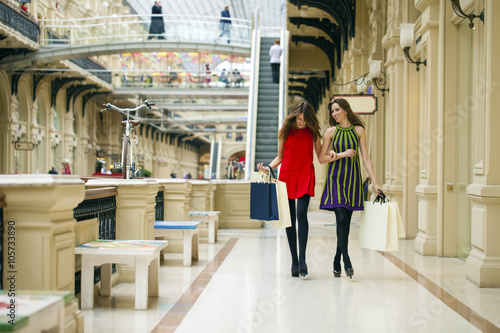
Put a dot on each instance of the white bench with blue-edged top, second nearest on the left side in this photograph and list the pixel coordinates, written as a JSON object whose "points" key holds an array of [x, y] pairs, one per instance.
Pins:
{"points": [[189, 231]]}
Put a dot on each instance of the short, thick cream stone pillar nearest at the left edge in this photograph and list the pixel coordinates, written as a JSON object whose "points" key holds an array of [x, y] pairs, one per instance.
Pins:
{"points": [[39, 217]]}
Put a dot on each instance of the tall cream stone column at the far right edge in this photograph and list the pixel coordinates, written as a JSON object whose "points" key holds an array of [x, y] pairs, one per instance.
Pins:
{"points": [[483, 263]]}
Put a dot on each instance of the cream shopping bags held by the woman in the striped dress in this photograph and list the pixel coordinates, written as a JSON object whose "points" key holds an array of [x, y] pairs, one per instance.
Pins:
{"points": [[381, 225]]}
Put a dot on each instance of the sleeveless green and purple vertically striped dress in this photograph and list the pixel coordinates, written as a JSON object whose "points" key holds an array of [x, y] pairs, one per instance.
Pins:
{"points": [[343, 185]]}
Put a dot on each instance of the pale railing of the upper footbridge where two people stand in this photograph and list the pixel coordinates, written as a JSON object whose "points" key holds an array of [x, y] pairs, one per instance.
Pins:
{"points": [[135, 28]]}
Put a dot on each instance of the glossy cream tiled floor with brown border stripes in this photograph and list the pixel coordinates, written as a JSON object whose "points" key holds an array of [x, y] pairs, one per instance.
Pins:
{"points": [[243, 284]]}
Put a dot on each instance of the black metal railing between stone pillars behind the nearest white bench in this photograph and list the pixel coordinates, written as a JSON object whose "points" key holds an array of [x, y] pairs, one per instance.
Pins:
{"points": [[101, 204]]}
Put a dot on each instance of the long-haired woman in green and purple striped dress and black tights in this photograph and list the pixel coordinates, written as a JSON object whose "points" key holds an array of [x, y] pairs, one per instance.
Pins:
{"points": [[343, 192]]}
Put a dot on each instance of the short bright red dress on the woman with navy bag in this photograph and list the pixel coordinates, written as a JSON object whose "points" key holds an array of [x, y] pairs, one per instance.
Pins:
{"points": [[297, 169]]}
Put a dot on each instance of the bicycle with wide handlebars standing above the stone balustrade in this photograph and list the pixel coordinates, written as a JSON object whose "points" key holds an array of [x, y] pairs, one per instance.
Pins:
{"points": [[129, 165]]}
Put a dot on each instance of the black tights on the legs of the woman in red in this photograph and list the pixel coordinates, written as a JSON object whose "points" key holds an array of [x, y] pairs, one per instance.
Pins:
{"points": [[303, 230]]}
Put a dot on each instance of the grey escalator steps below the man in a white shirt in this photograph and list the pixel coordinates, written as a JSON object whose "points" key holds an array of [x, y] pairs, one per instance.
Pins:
{"points": [[266, 139]]}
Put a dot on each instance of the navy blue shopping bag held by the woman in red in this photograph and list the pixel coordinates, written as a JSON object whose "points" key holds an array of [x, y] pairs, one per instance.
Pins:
{"points": [[263, 200]]}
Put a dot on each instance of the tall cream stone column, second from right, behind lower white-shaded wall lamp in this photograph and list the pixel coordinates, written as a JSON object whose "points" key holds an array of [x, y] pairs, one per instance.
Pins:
{"points": [[427, 34]]}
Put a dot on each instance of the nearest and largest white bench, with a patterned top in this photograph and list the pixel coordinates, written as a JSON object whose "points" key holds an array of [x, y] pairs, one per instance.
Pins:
{"points": [[143, 254]]}
